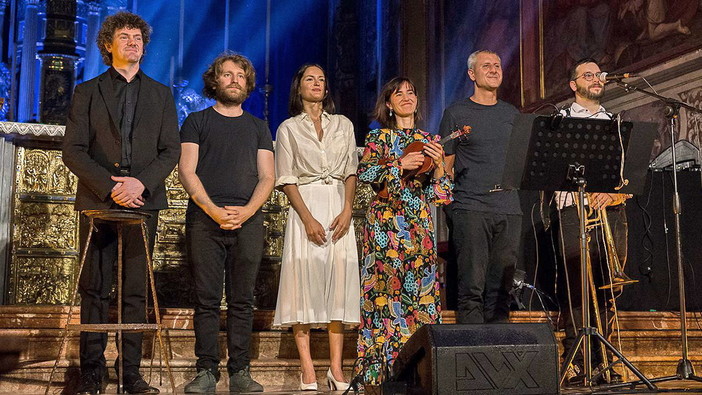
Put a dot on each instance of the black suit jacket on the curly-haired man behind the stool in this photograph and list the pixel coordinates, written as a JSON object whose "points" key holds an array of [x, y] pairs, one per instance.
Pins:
{"points": [[92, 145]]}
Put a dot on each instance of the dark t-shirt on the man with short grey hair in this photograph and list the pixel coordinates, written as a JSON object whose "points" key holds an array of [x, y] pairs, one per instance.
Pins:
{"points": [[480, 156]]}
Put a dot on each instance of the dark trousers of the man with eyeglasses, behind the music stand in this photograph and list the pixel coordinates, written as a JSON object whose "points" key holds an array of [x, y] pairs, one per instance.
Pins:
{"points": [[567, 228]]}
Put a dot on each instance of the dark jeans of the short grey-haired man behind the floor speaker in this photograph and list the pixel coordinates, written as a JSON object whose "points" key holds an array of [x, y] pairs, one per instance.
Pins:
{"points": [[486, 246]]}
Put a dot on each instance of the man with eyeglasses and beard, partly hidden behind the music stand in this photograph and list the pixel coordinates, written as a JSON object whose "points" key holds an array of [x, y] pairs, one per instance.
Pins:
{"points": [[589, 90]]}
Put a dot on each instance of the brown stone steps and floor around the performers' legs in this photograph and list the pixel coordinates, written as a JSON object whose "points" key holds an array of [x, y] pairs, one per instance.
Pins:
{"points": [[650, 340]]}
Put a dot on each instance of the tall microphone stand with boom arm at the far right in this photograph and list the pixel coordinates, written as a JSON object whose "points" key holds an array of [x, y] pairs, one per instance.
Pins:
{"points": [[685, 370]]}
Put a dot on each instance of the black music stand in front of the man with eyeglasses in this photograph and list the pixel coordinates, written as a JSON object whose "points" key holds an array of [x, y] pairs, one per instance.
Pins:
{"points": [[554, 153]]}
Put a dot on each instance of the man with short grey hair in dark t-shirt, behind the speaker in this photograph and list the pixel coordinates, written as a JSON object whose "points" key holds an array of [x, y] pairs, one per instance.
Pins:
{"points": [[485, 222]]}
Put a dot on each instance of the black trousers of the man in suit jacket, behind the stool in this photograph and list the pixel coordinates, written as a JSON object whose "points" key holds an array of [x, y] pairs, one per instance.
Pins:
{"points": [[96, 284]]}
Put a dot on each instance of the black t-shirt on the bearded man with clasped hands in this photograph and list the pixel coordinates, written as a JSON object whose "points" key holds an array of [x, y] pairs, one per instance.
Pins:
{"points": [[226, 165]]}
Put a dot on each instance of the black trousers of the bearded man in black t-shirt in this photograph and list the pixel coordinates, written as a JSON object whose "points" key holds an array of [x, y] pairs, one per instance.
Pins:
{"points": [[231, 257]]}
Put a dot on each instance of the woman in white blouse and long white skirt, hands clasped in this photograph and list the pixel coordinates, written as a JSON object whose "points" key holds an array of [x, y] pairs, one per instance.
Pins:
{"points": [[316, 165]]}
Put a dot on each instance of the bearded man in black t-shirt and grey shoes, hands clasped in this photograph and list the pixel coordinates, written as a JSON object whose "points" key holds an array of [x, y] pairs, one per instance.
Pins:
{"points": [[227, 168]]}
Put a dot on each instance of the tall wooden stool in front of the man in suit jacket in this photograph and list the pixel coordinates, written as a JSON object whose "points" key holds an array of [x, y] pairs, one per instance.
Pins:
{"points": [[120, 218]]}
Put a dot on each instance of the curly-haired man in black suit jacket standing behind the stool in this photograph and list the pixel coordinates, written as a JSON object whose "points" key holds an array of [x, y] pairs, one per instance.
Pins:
{"points": [[121, 142]]}
